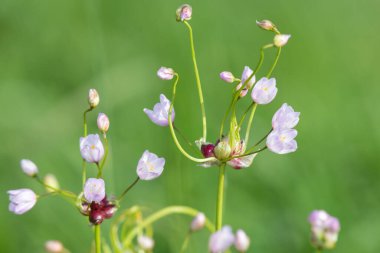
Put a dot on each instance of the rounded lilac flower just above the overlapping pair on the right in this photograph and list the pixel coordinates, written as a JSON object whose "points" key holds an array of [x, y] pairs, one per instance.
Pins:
{"points": [[264, 91]]}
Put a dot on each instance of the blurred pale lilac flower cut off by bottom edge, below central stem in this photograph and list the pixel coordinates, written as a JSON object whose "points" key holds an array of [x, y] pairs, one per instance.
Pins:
{"points": [[221, 240]]}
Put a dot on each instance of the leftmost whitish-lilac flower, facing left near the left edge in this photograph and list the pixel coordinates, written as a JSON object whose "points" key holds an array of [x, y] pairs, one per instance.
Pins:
{"points": [[21, 200]]}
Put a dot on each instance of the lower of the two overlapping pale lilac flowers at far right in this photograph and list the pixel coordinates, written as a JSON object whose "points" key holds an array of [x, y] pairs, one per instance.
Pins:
{"points": [[282, 141]]}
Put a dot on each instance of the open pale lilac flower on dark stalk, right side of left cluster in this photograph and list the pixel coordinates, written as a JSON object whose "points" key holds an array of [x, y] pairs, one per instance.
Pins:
{"points": [[150, 166]]}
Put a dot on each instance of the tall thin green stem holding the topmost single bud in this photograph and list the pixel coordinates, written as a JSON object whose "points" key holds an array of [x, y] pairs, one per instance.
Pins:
{"points": [[198, 80]]}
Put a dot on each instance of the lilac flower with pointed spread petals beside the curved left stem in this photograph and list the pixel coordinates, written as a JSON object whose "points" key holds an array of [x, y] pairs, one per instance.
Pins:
{"points": [[160, 113]]}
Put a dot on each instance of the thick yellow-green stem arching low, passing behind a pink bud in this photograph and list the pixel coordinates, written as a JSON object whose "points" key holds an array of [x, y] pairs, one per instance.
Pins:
{"points": [[159, 215]]}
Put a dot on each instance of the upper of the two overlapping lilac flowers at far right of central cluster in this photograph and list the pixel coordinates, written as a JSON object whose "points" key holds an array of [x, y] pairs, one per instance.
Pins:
{"points": [[285, 118]]}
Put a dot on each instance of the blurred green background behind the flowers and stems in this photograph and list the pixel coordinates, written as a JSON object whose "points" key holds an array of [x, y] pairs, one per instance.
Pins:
{"points": [[52, 52]]}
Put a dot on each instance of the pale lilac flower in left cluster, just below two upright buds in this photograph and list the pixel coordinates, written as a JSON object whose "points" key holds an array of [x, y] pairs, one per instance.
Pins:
{"points": [[91, 148]]}
